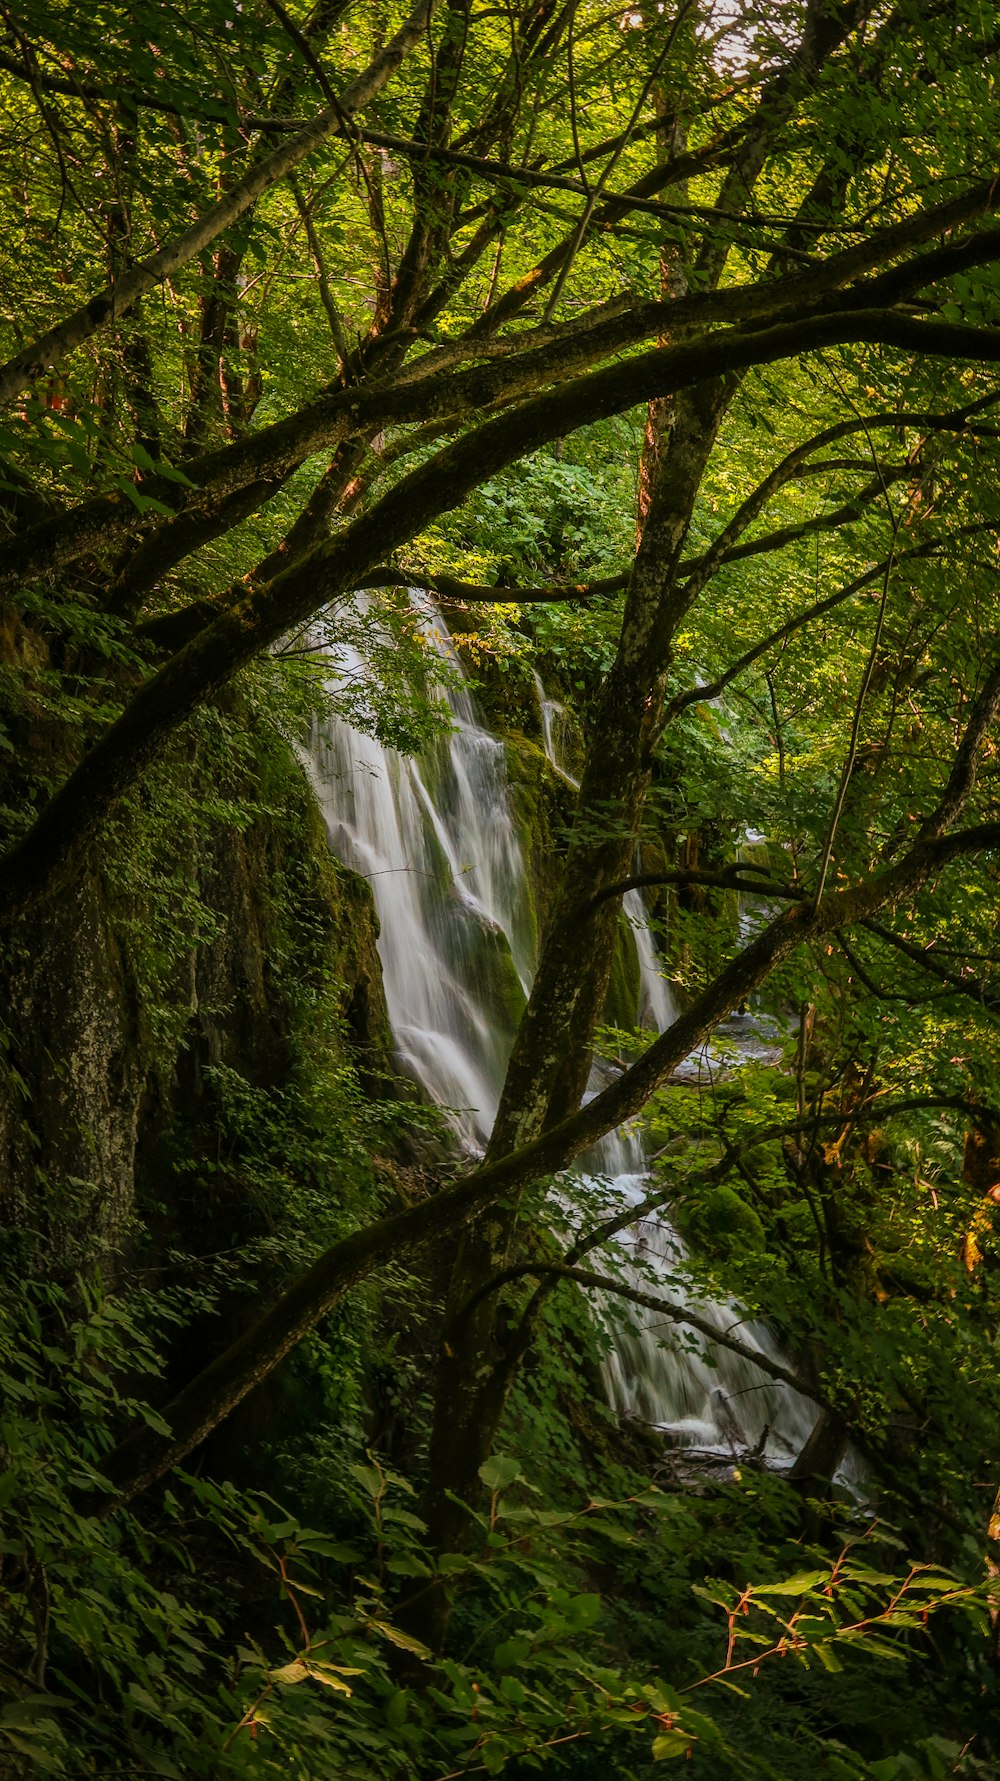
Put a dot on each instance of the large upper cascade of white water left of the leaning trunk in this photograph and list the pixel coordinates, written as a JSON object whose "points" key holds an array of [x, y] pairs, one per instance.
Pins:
{"points": [[438, 843]]}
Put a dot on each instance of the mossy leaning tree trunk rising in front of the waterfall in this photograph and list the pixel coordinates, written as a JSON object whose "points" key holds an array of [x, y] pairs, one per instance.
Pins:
{"points": [[553, 1050]]}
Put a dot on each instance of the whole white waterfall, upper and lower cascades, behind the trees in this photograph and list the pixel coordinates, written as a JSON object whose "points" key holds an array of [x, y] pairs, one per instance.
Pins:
{"points": [[438, 842]]}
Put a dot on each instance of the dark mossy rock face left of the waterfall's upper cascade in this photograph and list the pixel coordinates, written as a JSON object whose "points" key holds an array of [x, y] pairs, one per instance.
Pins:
{"points": [[119, 1000]]}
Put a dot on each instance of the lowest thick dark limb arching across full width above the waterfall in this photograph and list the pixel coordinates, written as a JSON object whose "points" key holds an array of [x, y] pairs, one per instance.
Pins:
{"points": [[58, 843]]}
